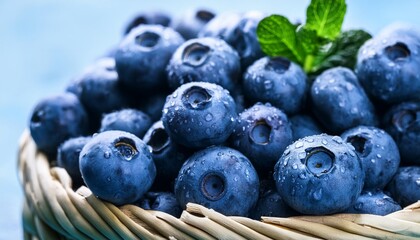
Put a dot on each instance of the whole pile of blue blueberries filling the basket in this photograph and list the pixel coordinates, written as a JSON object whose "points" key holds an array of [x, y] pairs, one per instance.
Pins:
{"points": [[190, 109]]}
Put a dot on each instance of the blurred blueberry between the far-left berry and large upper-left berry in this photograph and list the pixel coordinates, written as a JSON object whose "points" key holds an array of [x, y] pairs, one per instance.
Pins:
{"points": [[99, 90]]}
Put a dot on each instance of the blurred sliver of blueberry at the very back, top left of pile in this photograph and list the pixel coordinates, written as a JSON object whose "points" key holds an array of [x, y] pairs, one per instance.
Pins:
{"points": [[150, 18]]}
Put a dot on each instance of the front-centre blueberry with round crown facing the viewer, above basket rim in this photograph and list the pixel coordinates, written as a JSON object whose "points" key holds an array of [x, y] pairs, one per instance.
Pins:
{"points": [[219, 178]]}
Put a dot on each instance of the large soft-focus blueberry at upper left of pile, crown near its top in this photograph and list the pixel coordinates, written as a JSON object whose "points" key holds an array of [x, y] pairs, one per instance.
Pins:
{"points": [[143, 55]]}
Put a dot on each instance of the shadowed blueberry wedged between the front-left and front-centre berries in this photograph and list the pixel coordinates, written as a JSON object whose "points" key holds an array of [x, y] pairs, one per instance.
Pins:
{"points": [[168, 156]]}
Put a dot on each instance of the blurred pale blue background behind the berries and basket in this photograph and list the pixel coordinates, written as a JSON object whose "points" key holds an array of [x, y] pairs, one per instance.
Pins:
{"points": [[45, 43]]}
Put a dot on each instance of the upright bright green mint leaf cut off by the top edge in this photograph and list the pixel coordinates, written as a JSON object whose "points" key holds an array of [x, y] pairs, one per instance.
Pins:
{"points": [[326, 17]]}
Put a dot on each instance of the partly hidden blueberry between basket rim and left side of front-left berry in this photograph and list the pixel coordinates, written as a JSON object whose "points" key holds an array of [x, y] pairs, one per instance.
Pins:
{"points": [[68, 158]]}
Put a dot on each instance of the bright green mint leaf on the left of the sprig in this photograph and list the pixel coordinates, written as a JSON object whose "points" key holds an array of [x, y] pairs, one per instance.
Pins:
{"points": [[277, 37]]}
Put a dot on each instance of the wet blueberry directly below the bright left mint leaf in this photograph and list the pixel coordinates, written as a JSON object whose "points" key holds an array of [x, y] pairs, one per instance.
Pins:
{"points": [[277, 81]]}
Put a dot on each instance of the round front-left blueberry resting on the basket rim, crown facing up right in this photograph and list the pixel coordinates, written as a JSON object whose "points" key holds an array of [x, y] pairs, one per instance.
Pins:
{"points": [[117, 167]]}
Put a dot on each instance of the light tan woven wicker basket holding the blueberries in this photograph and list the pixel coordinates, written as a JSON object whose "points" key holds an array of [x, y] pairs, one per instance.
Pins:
{"points": [[52, 210]]}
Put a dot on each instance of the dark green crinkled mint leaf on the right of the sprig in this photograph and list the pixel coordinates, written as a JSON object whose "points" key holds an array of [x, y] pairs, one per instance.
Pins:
{"points": [[341, 52]]}
